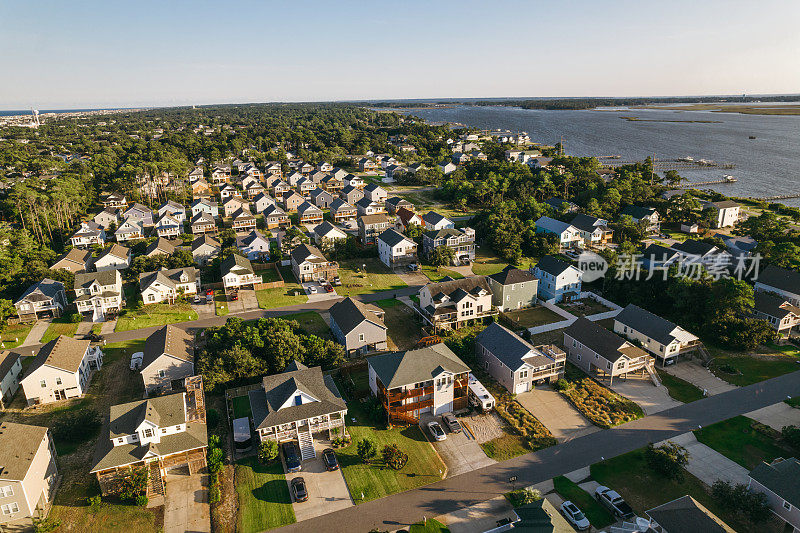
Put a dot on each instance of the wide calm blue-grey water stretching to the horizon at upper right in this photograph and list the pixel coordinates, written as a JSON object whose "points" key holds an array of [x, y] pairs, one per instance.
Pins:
{"points": [[766, 166]]}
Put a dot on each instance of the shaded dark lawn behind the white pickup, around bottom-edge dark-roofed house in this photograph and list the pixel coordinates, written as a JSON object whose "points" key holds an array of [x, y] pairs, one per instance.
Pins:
{"points": [[643, 489]]}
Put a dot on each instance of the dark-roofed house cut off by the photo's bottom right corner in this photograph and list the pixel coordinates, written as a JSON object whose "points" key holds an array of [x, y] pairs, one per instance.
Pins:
{"points": [[778, 482]]}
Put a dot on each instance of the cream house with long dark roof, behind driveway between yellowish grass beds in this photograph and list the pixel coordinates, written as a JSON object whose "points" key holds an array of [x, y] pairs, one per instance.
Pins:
{"points": [[514, 362]]}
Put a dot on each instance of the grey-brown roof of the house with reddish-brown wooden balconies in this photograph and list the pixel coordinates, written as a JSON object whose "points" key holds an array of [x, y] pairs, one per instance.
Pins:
{"points": [[397, 369]]}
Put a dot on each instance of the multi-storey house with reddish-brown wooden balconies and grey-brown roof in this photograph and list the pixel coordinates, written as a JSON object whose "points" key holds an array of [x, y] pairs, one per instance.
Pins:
{"points": [[425, 380]]}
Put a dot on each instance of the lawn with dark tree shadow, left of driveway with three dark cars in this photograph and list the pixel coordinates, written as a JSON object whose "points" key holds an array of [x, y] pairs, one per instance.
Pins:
{"points": [[264, 499]]}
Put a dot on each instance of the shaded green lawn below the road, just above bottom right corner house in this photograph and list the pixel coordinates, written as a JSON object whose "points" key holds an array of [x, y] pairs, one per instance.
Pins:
{"points": [[739, 441]]}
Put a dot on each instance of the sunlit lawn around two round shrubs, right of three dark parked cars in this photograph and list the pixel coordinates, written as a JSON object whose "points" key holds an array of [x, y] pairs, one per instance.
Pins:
{"points": [[374, 480]]}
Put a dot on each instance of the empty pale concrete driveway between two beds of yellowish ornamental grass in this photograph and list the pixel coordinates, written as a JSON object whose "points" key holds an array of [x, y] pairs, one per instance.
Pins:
{"points": [[556, 413]]}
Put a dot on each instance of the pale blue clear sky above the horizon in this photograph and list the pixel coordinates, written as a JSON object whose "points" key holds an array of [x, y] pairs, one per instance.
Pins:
{"points": [[58, 54]]}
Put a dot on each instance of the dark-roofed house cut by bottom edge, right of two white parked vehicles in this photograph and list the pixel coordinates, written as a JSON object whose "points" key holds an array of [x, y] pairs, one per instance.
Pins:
{"points": [[683, 515]]}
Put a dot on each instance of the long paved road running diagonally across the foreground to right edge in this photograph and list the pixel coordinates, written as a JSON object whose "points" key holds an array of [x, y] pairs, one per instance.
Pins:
{"points": [[471, 488]]}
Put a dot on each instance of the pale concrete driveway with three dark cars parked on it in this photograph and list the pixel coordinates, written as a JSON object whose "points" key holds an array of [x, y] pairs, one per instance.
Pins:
{"points": [[327, 491]]}
